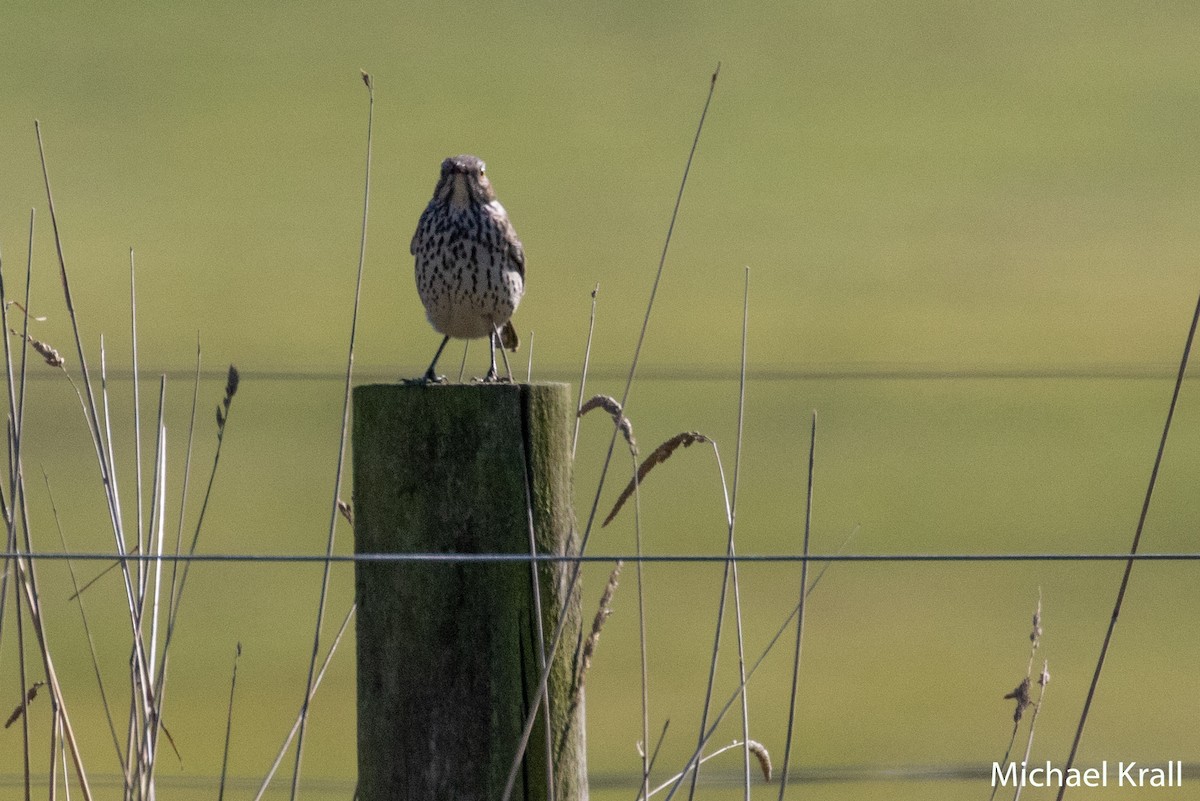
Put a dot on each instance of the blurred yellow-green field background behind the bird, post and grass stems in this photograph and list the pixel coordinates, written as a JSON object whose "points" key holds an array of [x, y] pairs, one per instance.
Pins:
{"points": [[973, 238]]}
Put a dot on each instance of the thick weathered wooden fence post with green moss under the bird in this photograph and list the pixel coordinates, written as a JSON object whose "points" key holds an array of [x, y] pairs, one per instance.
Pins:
{"points": [[447, 659]]}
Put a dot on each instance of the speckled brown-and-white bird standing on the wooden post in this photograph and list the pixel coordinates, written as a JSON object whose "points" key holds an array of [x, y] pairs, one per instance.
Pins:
{"points": [[470, 263]]}
